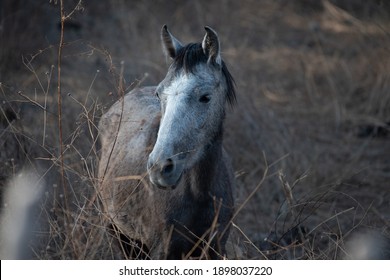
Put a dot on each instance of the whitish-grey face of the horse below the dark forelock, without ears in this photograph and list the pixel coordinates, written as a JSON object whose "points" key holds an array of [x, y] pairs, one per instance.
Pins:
{"points": [[192, 106]]}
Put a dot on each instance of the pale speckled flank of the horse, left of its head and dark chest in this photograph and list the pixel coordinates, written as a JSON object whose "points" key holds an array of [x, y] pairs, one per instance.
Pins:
{"points": [[128, 132]]}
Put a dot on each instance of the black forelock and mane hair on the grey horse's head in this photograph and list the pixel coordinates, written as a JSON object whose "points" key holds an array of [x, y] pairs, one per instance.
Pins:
{"points": [[191, 55]]}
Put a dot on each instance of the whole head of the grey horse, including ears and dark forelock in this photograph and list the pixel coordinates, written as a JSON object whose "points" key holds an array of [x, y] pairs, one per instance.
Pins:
{"points": [[192, 97]]}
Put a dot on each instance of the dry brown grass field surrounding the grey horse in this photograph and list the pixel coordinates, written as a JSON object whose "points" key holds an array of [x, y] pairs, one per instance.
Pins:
{"points": [[309, 137]]}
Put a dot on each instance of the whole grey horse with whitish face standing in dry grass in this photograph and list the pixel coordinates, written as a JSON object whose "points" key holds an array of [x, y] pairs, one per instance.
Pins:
{"points": [[166, 182]]}
